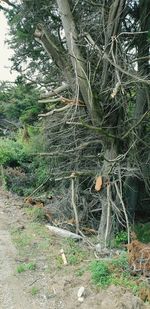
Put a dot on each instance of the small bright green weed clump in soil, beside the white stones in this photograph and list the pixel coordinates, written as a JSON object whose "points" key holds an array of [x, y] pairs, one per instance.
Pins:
{"points": [[100, 273]]}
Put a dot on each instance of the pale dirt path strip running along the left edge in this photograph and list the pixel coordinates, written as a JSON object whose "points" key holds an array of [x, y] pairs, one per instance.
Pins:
{"points": [[11, 288]]}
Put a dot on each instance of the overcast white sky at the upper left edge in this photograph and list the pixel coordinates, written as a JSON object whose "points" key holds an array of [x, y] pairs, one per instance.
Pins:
{"points": [[5, 52]]}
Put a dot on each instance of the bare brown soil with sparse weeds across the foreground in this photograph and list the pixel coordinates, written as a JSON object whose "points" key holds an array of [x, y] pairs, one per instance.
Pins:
{"points": [[51, 285]]}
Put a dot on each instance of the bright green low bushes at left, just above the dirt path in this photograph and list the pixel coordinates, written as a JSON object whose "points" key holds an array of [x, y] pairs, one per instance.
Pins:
{"points": [[24, 171]]}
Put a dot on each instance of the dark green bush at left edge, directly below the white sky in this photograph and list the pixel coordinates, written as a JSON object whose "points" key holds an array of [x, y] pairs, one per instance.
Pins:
{"points": [[19, 102]]}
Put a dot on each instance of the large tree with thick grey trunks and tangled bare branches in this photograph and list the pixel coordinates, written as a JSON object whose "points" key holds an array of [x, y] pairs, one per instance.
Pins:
{"points": [[101, 52]]}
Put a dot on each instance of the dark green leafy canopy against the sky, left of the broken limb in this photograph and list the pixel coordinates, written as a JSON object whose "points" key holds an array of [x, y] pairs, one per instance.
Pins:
{"points": [[22, 21]]}
